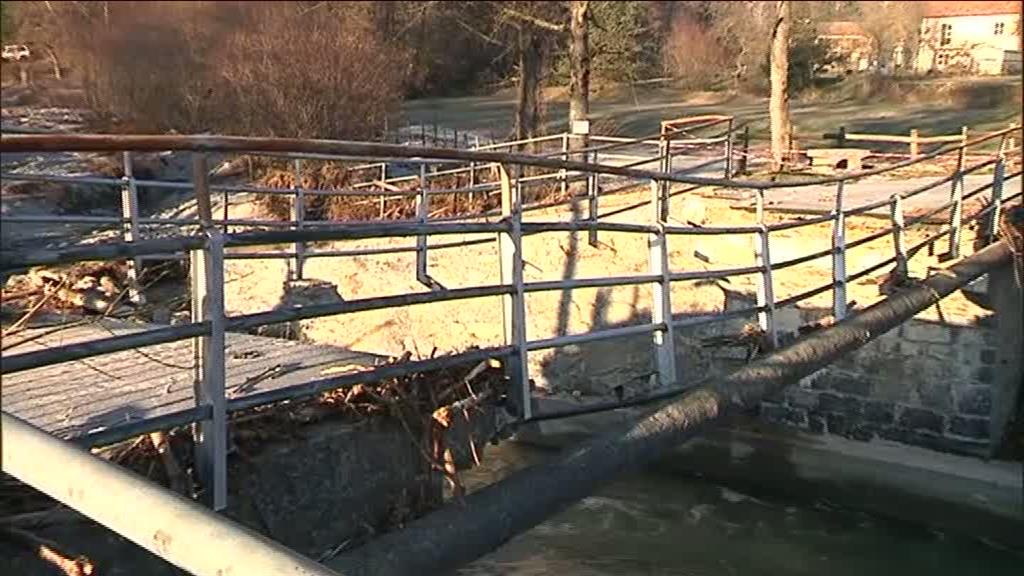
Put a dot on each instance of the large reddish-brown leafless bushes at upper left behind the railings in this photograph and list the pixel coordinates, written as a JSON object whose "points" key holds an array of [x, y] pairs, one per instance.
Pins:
{"points": [[282, 69]]}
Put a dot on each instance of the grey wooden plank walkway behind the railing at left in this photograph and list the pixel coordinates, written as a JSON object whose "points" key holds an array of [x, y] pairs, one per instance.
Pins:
{"points": [[83, 397]]}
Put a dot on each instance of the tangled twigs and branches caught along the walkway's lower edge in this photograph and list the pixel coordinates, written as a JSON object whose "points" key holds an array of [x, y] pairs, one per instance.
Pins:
{"points": [[432, 407]]}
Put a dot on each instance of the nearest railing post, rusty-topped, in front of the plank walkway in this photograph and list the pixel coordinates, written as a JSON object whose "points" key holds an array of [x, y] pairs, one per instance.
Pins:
{"points": [[207, 279]]}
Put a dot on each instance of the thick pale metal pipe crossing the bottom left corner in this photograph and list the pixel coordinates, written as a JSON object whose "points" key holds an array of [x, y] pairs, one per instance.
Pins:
{"points": [[175, 528]]}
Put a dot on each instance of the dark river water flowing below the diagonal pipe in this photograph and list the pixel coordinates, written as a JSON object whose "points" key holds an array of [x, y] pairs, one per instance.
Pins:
{"points": [[658, 523]]}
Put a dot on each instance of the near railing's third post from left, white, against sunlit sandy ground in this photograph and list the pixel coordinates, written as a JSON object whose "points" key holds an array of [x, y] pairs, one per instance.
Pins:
{"points": [[665, 348]]}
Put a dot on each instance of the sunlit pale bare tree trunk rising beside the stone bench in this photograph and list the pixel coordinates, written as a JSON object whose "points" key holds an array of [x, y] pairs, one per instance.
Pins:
{"points": [[779, 105]]}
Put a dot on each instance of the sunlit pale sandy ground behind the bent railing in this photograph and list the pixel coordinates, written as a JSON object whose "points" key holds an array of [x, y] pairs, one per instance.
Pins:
{"points": [[259, 285]]}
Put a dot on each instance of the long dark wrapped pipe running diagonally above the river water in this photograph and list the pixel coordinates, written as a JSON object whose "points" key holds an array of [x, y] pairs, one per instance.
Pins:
{"points": [[460, 533]]}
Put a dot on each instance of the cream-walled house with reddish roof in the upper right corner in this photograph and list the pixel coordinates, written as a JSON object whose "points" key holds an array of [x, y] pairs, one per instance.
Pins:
{"points": [[970, 38]]}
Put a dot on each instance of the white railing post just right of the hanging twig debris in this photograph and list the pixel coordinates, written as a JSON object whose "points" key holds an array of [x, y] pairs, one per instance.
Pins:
{"points": [[515, 305]]}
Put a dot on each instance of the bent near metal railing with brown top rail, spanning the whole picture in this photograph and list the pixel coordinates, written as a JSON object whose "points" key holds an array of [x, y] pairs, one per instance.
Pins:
{"points": [[209, 250]]}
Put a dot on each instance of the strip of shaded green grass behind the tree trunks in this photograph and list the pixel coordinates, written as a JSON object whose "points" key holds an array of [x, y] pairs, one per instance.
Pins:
{"points": [[638, 112]]}
